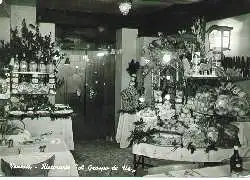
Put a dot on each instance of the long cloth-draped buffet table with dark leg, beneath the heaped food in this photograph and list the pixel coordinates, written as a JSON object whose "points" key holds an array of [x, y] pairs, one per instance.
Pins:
{"points": [[199, 156]]}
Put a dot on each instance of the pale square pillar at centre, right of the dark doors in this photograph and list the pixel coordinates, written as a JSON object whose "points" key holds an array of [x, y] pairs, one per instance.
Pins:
{"points": [[126, 40]]}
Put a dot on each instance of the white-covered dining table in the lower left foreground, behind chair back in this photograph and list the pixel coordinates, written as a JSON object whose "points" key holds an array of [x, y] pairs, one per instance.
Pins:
{"points": [[31, 152]]}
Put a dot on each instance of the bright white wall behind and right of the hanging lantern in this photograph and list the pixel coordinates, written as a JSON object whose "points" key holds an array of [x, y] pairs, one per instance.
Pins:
{"points": [[240, 35]]}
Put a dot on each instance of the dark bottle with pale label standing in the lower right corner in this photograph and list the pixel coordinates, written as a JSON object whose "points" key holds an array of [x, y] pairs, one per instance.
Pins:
{"points": [[236, 163]]}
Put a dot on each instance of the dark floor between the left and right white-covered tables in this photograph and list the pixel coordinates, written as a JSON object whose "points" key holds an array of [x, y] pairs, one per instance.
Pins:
{"points": [[101, 153]]}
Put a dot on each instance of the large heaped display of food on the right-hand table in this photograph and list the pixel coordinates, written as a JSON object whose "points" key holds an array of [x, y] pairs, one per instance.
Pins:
{"points": [[204, 121]]}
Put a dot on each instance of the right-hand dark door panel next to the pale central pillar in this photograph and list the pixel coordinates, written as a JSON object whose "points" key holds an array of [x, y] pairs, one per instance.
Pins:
{"points": [[99, 96]]}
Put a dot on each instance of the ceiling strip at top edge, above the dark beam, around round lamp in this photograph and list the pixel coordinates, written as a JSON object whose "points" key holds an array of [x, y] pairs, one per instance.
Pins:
{"points": [[139, 7]]}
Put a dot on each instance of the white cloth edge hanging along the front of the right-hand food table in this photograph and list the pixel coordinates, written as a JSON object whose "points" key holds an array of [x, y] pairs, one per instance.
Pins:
{"points": [[182, 154]]}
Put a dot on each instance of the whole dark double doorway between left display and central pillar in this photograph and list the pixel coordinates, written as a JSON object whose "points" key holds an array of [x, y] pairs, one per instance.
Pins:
{"points": [[89, 89]]}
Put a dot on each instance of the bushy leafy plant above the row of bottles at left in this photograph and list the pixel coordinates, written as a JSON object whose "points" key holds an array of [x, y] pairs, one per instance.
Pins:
{"points": [[28, 43]]}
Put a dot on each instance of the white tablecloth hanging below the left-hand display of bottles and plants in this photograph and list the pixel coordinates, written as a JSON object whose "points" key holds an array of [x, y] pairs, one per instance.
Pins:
{"points": [[60, 128]]}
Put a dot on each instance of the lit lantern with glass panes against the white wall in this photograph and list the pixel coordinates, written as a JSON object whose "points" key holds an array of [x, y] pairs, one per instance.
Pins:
{"points": [[219, 38]]}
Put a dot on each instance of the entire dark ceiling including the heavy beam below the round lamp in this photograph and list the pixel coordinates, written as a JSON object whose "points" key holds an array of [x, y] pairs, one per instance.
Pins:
{"points": [[97, 20]]}
